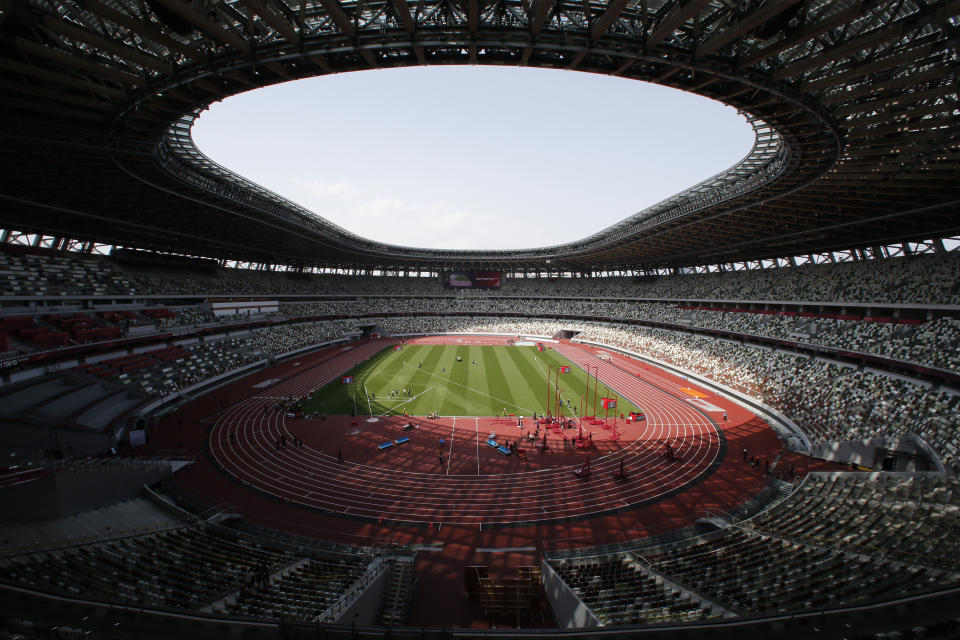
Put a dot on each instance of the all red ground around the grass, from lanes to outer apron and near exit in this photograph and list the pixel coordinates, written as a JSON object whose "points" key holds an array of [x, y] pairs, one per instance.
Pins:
{"points": [[464, 502]]}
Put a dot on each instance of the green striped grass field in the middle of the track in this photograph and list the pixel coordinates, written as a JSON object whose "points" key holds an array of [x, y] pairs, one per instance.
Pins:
{"points": [[505, 377]]}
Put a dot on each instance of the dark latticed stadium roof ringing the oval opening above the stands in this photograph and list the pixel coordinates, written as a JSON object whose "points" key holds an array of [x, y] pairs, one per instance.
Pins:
{"points": [[854, 103]]}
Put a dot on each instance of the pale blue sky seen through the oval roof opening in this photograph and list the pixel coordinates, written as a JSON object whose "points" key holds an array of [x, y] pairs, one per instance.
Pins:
{"points": [[473, 157]]}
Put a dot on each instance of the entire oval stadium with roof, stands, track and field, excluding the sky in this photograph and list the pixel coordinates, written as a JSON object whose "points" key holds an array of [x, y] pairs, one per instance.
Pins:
{"points": [[732, 414]]}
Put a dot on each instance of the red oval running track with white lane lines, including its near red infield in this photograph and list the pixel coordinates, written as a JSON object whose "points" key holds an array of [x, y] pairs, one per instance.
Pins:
{"points": [[462, 482]]}
